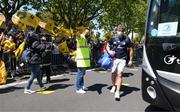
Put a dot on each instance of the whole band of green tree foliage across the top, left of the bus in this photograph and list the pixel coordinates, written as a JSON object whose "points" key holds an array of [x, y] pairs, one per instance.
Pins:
{"points": [[75, 13]]}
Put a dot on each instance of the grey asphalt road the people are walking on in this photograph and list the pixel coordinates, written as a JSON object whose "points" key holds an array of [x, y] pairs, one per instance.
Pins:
{"points": [[61, 95]]}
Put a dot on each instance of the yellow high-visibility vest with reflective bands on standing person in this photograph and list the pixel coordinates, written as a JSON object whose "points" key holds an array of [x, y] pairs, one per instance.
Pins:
{"points": [[83, 54]]}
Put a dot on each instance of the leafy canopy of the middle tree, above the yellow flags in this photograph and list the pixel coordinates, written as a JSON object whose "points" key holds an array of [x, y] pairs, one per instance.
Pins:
{"points": [[72, 13]]}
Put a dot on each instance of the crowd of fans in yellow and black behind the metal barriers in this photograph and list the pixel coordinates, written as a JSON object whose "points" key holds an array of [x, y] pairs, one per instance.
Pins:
{"points": [[12, 38]]}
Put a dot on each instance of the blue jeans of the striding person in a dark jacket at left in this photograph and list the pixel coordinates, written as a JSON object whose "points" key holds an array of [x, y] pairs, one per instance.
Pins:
{"points": [[35, 73]]}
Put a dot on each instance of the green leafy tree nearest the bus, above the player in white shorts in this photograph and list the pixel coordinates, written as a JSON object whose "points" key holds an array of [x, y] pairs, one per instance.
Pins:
{"points": [[132, 13]]}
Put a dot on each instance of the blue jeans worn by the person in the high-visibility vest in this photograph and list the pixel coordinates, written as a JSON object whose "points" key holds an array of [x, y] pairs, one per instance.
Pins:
{"points": [[80, 78]]}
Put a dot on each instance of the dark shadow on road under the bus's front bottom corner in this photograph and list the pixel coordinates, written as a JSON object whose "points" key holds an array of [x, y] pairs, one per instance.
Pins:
{"points": [[152, 108]]}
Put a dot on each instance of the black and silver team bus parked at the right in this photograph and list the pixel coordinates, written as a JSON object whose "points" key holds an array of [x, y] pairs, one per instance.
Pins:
{"points": [[161, 55]]}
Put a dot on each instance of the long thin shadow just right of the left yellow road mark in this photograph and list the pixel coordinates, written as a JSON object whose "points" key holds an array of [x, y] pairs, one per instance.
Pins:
{"points": [[59, 86]]}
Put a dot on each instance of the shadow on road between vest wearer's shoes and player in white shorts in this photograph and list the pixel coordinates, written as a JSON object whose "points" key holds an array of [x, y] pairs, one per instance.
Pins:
{"points": [[97, 87]]}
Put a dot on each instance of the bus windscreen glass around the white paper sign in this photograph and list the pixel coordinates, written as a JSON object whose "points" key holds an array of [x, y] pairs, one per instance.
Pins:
{"points": [[164, 11]]}
